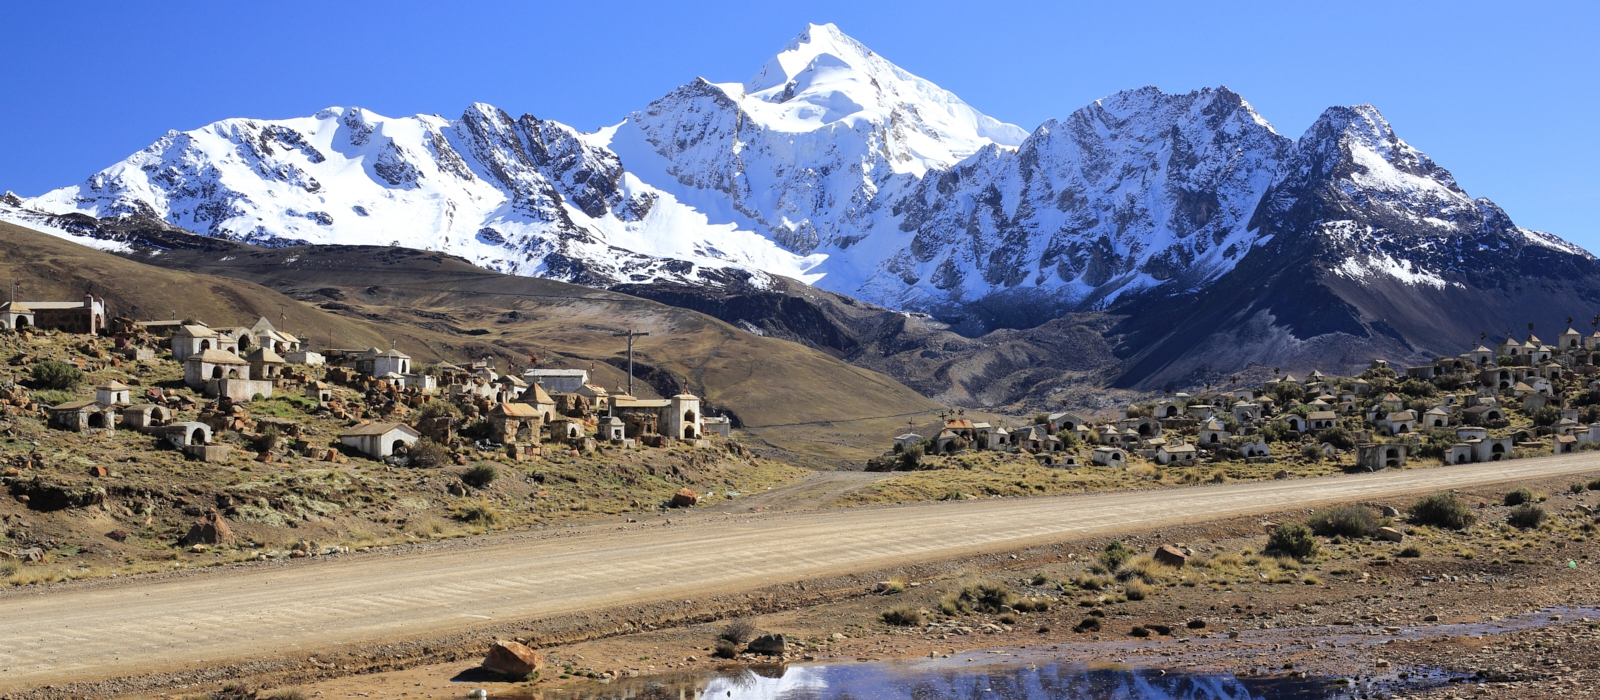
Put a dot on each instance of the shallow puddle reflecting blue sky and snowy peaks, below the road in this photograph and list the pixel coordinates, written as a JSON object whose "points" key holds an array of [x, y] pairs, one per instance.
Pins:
{"points": [[935, 682]]}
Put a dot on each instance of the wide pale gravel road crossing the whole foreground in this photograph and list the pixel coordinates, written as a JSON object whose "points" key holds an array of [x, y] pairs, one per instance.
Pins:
{"points": [[150, 626]]}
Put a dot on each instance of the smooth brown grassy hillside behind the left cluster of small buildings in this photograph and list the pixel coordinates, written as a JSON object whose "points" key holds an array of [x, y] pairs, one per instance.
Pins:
{"points": [[441, 308]]}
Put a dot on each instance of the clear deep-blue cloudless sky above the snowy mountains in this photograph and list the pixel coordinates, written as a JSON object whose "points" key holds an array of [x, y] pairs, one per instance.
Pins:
{"points": [[1505, 95]]}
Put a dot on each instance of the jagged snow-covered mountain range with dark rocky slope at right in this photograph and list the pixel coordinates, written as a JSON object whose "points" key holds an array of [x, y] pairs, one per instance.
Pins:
{"points": [[838, 169]]}
